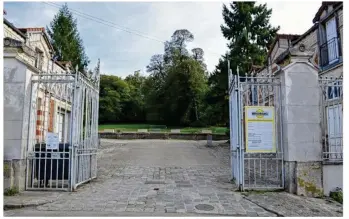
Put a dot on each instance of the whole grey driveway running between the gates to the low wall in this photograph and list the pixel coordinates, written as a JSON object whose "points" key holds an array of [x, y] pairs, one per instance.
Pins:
{"points": [[156, 178]]}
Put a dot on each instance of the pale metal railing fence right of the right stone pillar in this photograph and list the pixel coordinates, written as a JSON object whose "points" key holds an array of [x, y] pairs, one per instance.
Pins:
{"points": [[331, 105]]}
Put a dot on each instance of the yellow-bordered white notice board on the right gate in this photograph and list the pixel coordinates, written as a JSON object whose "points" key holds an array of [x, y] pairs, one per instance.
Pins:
{"points": [[259, 129]]}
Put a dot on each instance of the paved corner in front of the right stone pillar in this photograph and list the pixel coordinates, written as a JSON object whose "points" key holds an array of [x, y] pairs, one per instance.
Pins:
{"points": [[288, 205]]}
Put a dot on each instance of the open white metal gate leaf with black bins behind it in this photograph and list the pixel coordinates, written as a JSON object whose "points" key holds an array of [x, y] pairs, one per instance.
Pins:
{"points": [[63, 131]]}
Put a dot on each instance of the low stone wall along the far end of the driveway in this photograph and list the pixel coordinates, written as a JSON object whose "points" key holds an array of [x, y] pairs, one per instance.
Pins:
{"points": [[181, 136]]}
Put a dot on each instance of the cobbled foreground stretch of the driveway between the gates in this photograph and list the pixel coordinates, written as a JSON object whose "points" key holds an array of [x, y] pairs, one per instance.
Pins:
{"points": [[138, 189]]}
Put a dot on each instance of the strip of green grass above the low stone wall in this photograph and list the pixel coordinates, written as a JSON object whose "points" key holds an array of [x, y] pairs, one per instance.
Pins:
{"points": [[161, 128]]}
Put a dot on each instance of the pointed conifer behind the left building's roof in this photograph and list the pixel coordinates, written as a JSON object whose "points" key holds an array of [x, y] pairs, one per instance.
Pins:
{"points": [[65, 39]]}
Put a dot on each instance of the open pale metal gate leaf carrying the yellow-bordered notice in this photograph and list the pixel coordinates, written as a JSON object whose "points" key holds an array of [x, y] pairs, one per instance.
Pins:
{"points": [[255, 169]]}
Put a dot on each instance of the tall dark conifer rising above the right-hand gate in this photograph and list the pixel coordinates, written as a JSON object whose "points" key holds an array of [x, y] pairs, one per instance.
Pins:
{"points": [[249, 33]]}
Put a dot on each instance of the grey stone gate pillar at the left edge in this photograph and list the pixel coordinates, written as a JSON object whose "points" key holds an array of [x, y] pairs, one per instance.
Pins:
{"points": [[16, 120]]}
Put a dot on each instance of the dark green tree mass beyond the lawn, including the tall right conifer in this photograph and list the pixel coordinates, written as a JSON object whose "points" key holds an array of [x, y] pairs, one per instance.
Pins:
{"points": [[179, 91]]}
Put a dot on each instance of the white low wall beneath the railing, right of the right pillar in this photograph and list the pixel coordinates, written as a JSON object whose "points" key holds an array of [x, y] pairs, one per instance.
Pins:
{"points": [[332, 177]]}
